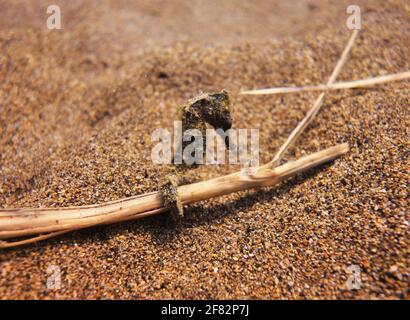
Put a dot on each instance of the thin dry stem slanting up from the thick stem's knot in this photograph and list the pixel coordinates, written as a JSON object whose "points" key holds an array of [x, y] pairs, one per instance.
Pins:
{"points": [[316, 106]]}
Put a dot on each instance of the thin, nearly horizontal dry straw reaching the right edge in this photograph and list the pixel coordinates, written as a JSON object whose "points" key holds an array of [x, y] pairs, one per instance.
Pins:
{"points": [[362, 83]]}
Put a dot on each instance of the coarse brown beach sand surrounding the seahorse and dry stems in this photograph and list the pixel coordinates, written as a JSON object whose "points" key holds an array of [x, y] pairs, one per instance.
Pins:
{"points": [[77, 107]]}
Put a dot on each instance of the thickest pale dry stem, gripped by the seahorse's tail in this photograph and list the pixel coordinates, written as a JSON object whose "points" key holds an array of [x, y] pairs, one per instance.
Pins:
{"points": [[50, 222]]}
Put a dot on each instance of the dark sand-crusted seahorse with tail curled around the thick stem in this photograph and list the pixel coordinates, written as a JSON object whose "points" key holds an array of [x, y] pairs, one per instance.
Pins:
{"points": [[213, 109]]}
